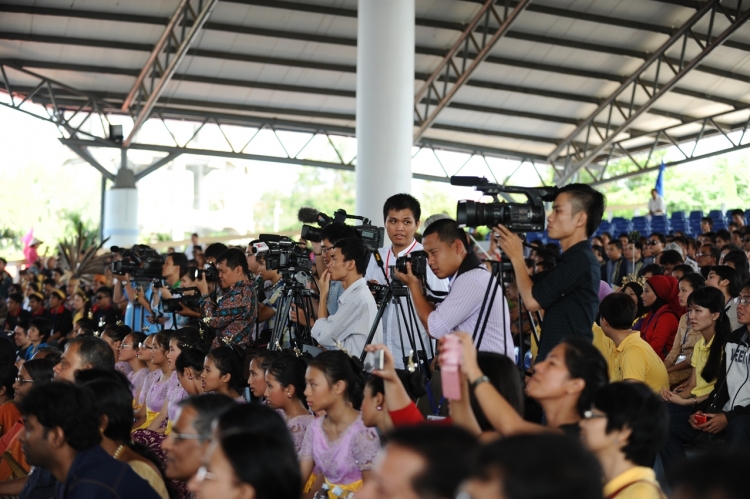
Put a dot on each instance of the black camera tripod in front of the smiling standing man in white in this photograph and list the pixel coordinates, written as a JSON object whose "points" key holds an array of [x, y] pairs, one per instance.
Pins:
{"points": [[393, 292]]}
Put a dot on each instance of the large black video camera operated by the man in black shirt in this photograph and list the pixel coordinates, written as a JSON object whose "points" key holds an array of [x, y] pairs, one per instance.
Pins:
{"points": [[517, 217]]}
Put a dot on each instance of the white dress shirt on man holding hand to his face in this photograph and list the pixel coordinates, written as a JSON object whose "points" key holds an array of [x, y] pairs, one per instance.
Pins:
{"points": [[351, 323]]}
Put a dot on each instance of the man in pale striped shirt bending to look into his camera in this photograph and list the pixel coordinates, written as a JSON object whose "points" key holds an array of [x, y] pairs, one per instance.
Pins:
{"points": [[447, 248]]}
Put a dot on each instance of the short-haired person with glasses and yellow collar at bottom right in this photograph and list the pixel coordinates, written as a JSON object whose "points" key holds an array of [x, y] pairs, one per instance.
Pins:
{"points": [[625, 429]]}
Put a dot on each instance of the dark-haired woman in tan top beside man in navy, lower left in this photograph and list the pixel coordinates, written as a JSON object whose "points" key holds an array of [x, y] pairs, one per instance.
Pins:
{"points": [[115, 401]]}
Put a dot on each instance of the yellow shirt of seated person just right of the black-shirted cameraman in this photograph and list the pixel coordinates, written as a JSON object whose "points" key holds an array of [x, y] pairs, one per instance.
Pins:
{"points": [[635, 359]]}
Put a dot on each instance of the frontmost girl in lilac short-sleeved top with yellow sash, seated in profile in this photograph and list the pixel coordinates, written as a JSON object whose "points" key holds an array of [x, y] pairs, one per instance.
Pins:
{"points": [[338, 444]]}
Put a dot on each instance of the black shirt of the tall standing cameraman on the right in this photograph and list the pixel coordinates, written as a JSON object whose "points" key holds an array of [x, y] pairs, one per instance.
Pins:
{"points": [[569, 295]]}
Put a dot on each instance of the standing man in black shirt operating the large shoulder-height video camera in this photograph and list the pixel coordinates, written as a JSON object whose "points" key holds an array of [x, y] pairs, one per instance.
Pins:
{"points": [[569, 292]]}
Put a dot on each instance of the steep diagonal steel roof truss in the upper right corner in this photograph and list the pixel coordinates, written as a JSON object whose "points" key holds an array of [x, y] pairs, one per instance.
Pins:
{"points": [[577, 159]]}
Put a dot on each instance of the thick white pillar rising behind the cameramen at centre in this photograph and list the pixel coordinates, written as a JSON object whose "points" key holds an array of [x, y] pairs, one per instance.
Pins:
{"points": [[385, 102]]}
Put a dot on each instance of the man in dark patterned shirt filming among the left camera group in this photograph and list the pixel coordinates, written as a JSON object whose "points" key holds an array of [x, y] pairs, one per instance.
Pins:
{"points": [[233, 315]]}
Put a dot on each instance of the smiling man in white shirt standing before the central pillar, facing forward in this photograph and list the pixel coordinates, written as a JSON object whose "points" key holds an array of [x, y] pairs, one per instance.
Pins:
{"points": [[401, 216]]}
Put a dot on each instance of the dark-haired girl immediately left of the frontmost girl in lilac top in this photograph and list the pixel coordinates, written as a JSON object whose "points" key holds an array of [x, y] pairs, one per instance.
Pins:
{"points": [[285, 381]]}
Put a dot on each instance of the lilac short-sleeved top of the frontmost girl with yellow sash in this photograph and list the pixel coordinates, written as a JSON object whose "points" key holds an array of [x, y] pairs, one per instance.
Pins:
{"points": [[342, 461]]}
